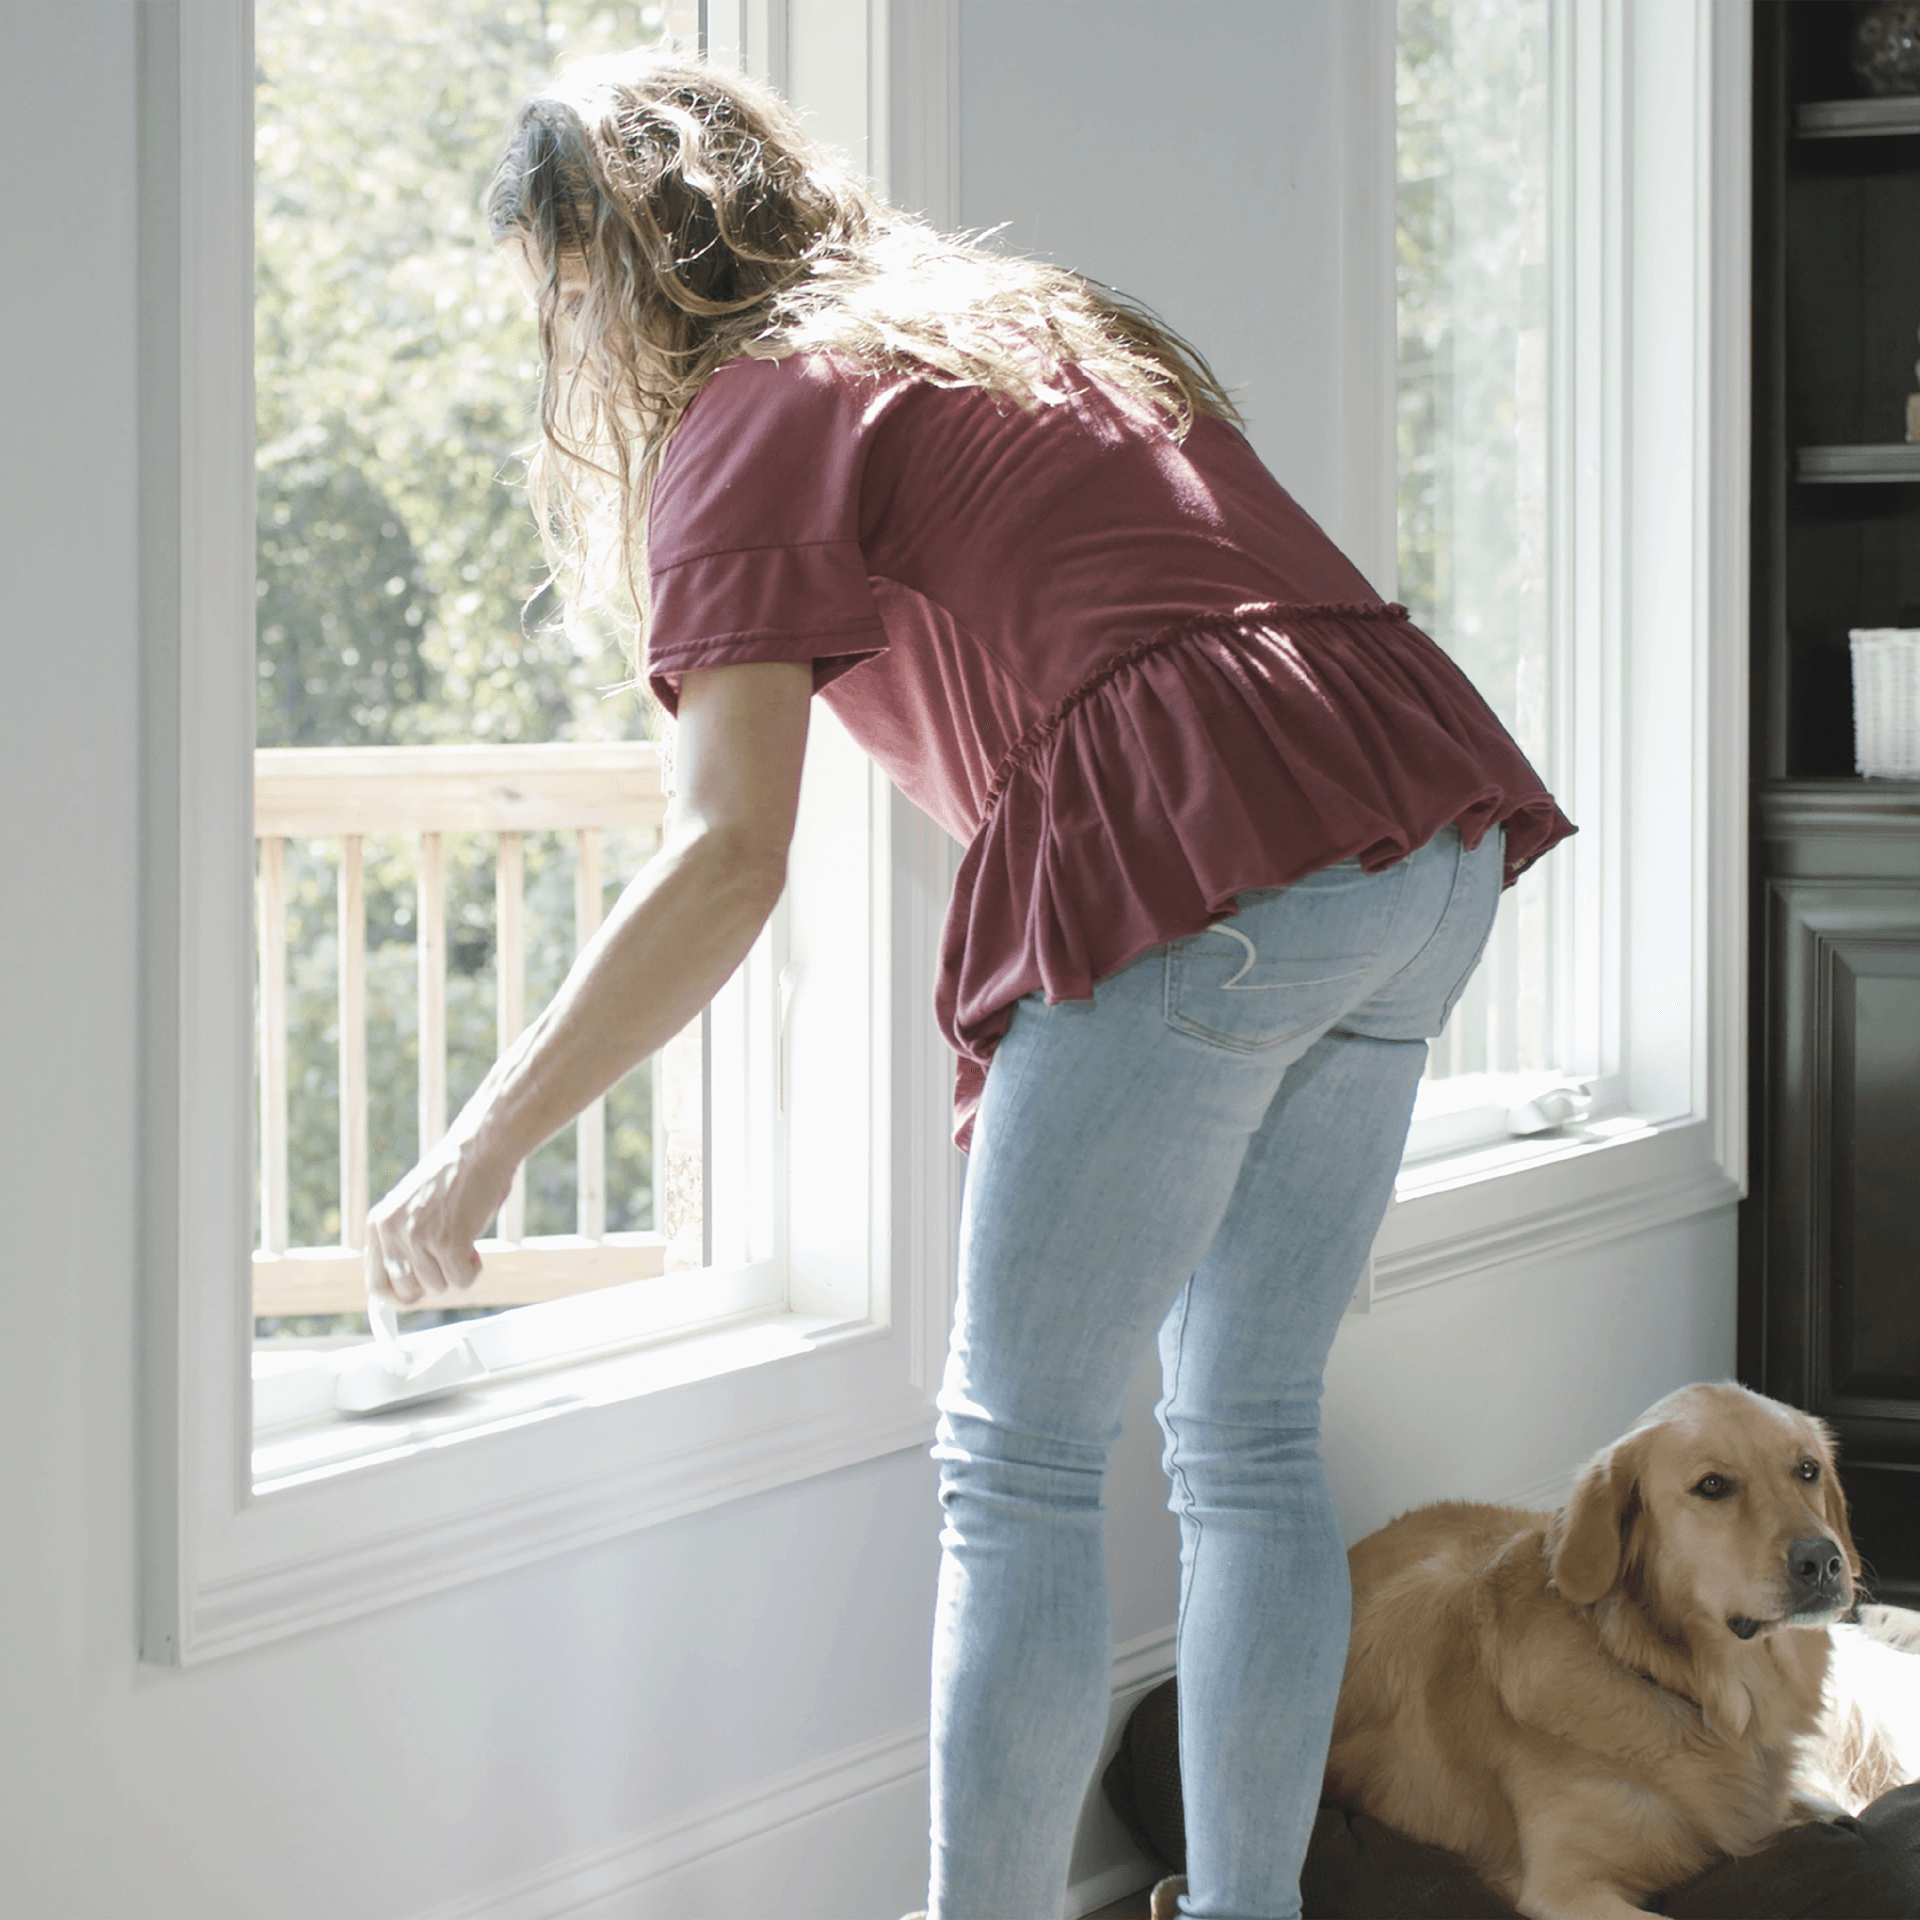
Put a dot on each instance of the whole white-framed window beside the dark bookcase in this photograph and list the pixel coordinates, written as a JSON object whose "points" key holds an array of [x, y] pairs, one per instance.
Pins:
{"points": [[1572, 450]]}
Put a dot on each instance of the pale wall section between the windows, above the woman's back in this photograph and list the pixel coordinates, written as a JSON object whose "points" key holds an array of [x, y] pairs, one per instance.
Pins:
{"points": [[1195, 156]]}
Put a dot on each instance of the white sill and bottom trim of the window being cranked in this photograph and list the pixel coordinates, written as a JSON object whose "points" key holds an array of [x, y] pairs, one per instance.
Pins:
{"points": [[375, 1512]]}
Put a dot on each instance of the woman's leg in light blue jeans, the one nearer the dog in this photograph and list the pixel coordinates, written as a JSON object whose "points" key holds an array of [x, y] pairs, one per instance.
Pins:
{"points": [[1264, 1589]]}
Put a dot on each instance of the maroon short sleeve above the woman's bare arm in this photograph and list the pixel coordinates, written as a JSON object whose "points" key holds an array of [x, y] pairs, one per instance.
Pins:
{"points": [[754, 540]]}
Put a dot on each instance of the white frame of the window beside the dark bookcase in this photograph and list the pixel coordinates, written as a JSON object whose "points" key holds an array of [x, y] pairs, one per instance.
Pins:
{"points": [[1652, 231]]}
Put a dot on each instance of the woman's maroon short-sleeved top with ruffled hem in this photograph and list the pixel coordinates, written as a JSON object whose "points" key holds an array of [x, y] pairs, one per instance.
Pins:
{"points": [[1124, 669]]}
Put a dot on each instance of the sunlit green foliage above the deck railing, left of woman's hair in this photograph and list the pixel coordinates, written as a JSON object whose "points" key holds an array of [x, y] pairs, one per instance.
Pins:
{"points": [[396, 375]]}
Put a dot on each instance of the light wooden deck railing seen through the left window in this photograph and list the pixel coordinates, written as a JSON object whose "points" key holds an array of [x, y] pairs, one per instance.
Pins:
{"points": [[345, 794]]}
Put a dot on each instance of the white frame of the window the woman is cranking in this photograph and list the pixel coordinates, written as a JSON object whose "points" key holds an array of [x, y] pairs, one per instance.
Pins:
{"points": [[867, 1180]]}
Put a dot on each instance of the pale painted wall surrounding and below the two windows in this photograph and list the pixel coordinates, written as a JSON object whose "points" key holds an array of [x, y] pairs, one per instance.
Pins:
{"points": [[583, 1733]]}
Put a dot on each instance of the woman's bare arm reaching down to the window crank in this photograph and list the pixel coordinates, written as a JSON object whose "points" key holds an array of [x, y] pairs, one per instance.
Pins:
{"points": [[669, 946]]}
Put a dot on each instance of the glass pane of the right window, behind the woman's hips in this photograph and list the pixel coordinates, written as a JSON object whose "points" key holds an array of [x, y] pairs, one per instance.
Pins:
{"points": [[1474, 402]]}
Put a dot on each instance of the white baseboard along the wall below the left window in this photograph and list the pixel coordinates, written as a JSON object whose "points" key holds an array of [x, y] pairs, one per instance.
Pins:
{"points": [[842, 1838]]}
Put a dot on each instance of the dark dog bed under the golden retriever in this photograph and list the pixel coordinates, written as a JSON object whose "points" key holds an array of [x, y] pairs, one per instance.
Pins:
{"points": [[1852, 1869]]}
